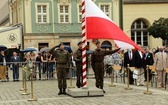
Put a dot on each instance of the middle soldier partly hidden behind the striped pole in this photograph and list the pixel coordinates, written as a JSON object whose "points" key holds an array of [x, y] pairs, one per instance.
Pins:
{"points": [[78, 61]]}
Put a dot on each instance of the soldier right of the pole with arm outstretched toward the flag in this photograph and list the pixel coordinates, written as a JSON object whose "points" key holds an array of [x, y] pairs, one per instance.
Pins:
{"points": [[97, 58]]}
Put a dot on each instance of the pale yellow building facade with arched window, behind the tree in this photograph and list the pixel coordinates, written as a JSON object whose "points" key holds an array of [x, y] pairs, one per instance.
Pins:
{"points": [[138, 15]]}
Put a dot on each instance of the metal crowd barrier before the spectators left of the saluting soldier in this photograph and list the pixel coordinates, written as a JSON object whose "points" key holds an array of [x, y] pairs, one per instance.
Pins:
{"points": [[41, 71]]}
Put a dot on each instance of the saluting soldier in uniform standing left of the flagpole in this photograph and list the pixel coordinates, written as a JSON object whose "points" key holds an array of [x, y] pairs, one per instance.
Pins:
{"points": [[63, 63]]}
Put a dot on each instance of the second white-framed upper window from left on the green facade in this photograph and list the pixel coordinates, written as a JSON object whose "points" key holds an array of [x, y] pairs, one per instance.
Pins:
{"points": [[64, 13]]}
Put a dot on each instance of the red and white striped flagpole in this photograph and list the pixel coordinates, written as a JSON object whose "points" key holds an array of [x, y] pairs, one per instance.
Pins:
{"points": [[84, 44]]}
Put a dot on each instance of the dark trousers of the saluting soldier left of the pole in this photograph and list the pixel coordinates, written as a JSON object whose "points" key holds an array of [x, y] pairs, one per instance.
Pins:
{"points": [[61, 75]]}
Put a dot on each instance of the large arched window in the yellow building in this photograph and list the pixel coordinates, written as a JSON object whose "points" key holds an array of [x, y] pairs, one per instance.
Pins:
{"points": [[139, 32]]}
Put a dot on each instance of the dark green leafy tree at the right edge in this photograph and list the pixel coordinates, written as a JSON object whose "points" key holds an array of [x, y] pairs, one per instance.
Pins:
{"points": [[159, 29]]}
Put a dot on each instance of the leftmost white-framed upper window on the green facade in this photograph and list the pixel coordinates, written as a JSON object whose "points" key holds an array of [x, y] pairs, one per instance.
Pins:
{"points": [[42, 13]]}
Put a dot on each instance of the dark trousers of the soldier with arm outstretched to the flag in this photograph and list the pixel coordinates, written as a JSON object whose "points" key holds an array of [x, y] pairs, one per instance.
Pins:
{"points": [[99, 76]]}
